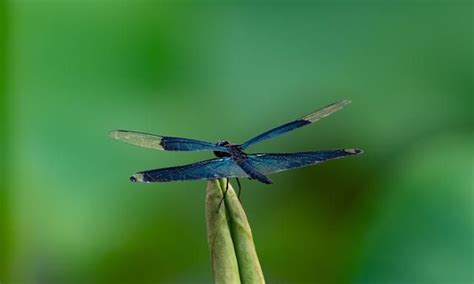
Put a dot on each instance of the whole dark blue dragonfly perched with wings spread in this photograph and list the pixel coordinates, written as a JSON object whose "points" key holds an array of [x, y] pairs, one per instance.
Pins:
{"points": [[231, 161]]}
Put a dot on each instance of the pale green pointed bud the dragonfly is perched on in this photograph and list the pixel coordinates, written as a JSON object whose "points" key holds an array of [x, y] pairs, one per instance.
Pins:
{"points": [[233, 255]]}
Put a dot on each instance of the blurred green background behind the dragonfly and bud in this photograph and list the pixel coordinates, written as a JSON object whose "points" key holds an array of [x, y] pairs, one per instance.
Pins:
{"points": [[71, 71]]}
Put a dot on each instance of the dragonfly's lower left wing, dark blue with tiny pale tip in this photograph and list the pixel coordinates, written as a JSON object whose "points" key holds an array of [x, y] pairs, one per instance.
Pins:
{"points": [[209, 169]]}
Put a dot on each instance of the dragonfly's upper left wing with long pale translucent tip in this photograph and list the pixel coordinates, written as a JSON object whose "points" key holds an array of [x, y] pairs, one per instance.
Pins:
{"points": [[164, 142]]}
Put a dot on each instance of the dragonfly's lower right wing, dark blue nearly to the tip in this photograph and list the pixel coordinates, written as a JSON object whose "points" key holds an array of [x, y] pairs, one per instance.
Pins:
{"points": [[272, 163]]}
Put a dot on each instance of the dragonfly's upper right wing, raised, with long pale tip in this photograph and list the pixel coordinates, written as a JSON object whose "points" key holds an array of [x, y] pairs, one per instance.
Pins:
{"points": [[308, 119]]}
